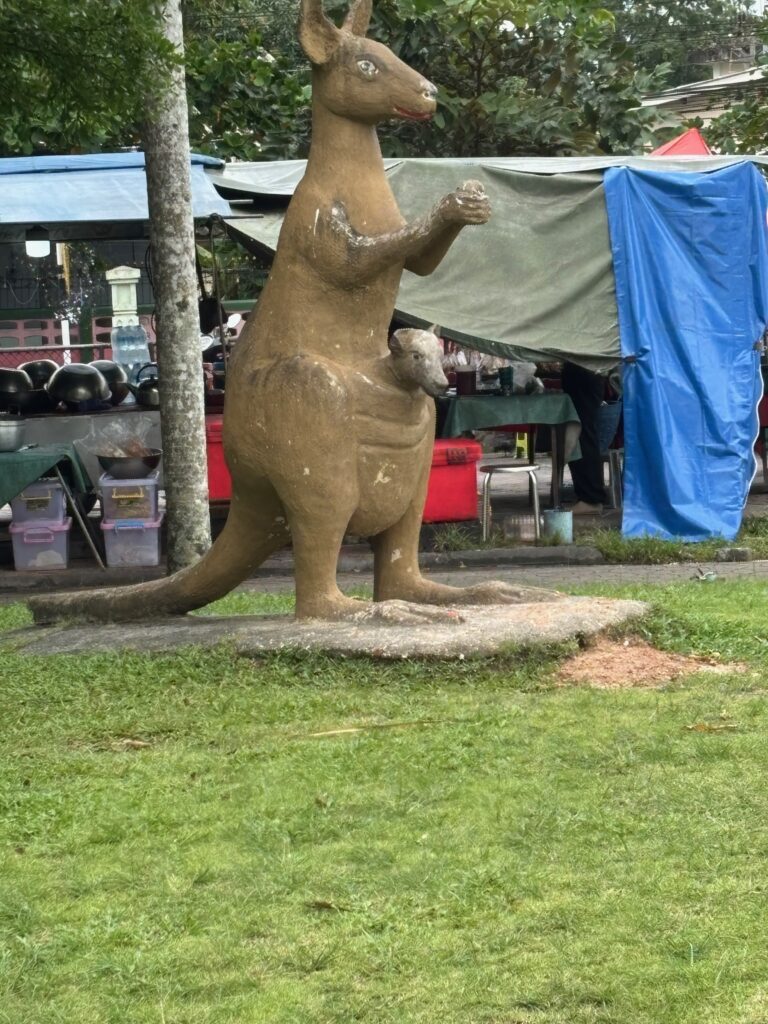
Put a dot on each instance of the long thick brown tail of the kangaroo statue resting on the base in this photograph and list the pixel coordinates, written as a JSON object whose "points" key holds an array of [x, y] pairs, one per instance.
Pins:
{"points": [[248, 538]]}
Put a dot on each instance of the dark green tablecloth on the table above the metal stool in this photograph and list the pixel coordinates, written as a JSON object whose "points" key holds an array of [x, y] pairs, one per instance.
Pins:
{"points": [[486, 412]]}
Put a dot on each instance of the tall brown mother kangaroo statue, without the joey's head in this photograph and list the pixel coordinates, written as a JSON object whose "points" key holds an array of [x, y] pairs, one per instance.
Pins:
{"points": [[319, 438]]}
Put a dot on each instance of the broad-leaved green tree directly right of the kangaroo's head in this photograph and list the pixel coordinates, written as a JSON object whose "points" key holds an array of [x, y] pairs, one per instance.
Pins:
{"points": [[540, 77]]}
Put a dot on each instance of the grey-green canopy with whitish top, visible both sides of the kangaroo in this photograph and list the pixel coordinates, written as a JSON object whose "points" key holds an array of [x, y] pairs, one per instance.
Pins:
{"points": [[536, 282]]}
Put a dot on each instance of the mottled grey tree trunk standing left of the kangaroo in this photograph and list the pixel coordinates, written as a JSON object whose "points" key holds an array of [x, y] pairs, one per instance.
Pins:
{"points": [[166, 142]]}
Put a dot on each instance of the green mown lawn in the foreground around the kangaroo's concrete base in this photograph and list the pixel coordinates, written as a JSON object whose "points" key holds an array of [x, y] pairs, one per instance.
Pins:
{"points": [[181, 844]]}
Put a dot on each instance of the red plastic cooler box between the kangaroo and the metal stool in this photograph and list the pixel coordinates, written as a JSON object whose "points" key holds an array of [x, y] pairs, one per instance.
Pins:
{"points": [[453, 482]]}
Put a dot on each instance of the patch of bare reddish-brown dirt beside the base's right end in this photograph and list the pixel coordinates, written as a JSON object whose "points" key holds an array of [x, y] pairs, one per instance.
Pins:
{"points": [[624, 664]]}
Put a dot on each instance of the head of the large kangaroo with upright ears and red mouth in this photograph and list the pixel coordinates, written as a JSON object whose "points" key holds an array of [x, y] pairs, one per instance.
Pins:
{"points": [[357, 78]]}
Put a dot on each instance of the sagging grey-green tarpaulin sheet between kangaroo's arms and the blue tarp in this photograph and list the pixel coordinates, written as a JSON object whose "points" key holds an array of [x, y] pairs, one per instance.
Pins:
{"points": [[538, 277]]}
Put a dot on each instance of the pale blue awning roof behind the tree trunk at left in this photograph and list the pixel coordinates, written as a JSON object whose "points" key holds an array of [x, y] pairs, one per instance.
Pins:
{"points": [[91, 196]]}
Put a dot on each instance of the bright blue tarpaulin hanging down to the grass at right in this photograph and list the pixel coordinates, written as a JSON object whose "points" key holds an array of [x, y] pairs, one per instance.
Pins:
{"points": [[691, 260]]}
